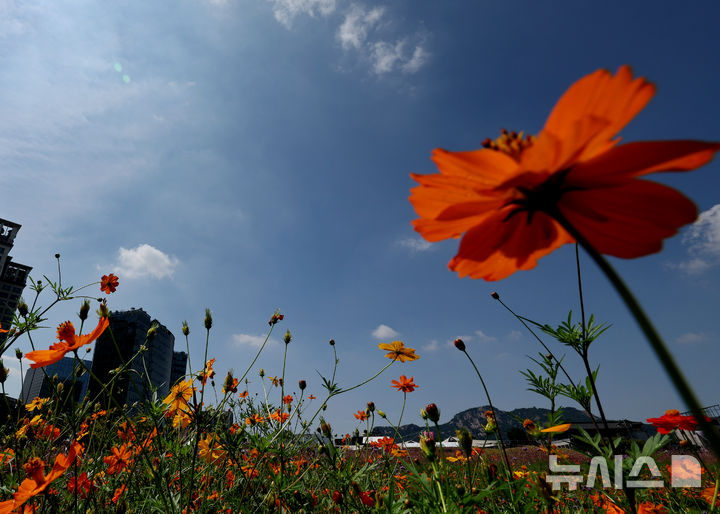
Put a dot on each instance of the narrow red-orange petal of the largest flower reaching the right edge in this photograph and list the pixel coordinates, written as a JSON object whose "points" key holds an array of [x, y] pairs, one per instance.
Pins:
{"points": [[635, 159]]}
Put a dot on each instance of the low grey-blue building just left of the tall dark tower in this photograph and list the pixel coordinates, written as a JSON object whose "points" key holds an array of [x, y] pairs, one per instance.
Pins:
{"points": [[39, 381]]}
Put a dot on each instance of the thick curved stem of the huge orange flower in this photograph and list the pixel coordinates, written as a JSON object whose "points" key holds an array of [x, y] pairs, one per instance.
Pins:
{"points": [[656, 342]]}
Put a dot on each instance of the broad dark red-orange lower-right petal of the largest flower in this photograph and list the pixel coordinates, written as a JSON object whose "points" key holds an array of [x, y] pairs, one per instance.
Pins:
{"points": [[630, 220]]}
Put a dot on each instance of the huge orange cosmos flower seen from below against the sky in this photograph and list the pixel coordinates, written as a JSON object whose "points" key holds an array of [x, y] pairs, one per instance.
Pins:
{"points": [[506, 199]]}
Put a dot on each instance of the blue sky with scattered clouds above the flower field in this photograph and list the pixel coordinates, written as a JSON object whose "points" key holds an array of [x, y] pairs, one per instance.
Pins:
{"points": [[252, 155]]}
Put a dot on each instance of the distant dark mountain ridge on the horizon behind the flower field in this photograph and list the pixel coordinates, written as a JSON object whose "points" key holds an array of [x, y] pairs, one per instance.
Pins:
{"points": [[474, 420]]}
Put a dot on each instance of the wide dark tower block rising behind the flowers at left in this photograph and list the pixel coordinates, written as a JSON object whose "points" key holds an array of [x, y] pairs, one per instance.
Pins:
{"points": [[150, 369]]}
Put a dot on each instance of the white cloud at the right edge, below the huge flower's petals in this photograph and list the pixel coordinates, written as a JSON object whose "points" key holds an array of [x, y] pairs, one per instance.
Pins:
{"points": [[703, 241]]}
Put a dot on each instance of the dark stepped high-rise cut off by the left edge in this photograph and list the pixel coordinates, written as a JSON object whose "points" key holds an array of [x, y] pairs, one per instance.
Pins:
{"points": [[13, 276]]}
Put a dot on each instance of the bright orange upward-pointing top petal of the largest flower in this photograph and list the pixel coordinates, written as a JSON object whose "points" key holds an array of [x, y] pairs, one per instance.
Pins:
{"points": [[616, 99]]}
